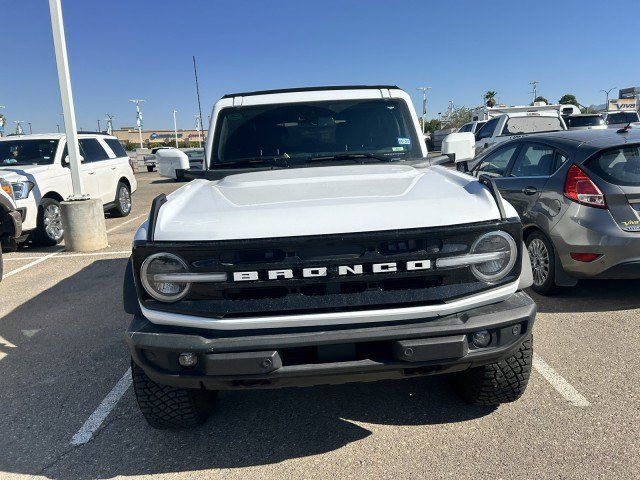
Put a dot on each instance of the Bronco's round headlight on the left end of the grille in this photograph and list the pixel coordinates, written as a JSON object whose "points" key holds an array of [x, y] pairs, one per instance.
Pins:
{"points": [[152, 274]]}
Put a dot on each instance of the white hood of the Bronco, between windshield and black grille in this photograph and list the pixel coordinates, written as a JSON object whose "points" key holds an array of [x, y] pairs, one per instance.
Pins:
{"points": [[323, 200]]}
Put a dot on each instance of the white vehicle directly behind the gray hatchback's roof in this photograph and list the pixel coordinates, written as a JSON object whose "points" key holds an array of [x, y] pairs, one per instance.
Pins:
{"points": [[512, 125]]}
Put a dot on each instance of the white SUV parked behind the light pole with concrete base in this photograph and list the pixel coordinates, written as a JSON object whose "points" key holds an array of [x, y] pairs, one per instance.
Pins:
{"points": [[37, 168]]}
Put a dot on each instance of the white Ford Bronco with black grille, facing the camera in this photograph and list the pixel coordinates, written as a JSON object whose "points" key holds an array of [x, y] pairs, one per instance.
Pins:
{"points": [[323, 246]]}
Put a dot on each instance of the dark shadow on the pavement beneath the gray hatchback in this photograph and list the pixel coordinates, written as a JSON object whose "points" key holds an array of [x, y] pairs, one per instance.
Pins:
{"points": [[591, 296]]}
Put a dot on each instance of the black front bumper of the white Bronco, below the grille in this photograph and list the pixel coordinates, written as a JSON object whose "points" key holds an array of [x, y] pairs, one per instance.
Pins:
{"points": [[270, 360]]}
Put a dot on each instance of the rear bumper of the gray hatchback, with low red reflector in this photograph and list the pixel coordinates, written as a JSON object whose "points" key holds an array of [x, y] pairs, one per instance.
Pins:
{"points": [[593, 230]]}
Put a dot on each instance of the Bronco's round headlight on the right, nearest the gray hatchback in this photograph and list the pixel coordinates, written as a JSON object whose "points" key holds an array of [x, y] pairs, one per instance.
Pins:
{"points": [[500, 248]]}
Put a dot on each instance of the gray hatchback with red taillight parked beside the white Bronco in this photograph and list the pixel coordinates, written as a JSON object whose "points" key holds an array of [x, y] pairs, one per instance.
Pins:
{"points": [[578, 194]]}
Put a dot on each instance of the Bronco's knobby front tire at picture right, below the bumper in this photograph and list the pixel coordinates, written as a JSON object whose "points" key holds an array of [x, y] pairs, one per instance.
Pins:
{"points": [[500, 382]]}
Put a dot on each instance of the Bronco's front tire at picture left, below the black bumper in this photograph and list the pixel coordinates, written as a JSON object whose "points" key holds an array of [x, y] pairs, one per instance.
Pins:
{"points": [[172, 408]]}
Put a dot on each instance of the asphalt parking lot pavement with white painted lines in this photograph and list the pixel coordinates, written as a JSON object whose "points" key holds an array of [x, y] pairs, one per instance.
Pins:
{"points": [[69, 411]]}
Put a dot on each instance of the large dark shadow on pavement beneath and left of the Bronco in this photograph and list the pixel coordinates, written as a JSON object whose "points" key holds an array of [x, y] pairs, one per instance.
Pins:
{"points": [[53, 380]]}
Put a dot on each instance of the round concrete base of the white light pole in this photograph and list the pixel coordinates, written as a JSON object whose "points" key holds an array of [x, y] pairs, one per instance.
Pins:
{"points": [[84, 225]]}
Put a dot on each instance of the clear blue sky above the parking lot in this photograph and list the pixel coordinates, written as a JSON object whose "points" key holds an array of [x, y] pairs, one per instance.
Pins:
{"points": [[125, 49]]}
